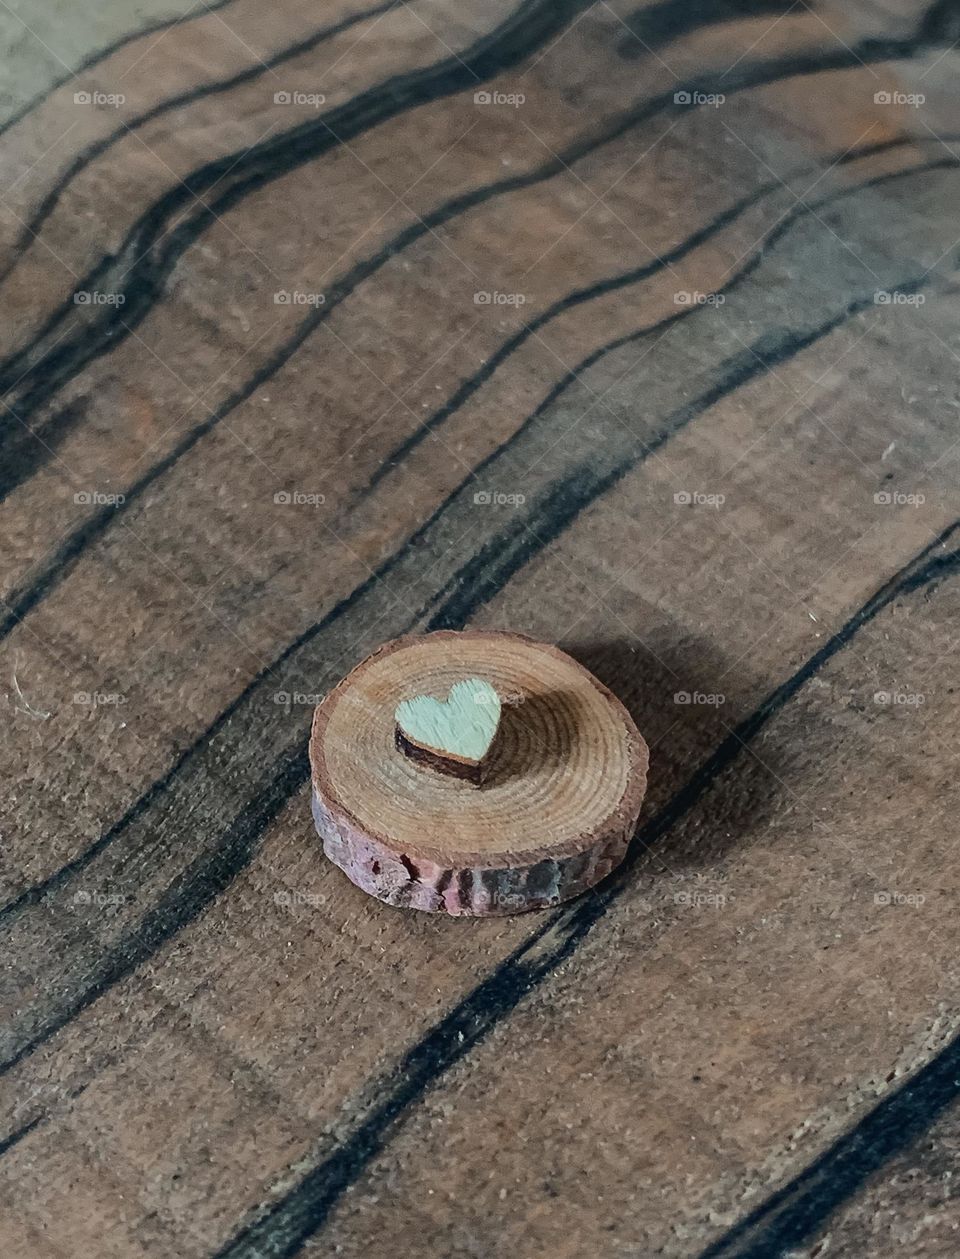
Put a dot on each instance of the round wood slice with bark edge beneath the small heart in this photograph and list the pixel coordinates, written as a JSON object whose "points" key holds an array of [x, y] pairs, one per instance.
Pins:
{"points": [[557, 808]]}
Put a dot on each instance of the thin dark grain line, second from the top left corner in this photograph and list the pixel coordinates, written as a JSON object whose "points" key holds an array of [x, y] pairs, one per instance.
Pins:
{"points": [[84, 159]]}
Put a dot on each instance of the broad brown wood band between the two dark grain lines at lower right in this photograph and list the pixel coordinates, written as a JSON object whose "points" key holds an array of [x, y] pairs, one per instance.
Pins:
{"points": [[686, 1097]]}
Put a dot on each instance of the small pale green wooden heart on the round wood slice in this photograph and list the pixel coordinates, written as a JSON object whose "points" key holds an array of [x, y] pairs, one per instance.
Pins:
{"points": [[462, 727]]}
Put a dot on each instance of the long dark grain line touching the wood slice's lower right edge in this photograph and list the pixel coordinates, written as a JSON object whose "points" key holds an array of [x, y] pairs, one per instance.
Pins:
{"points": [[282, 1229]]}
